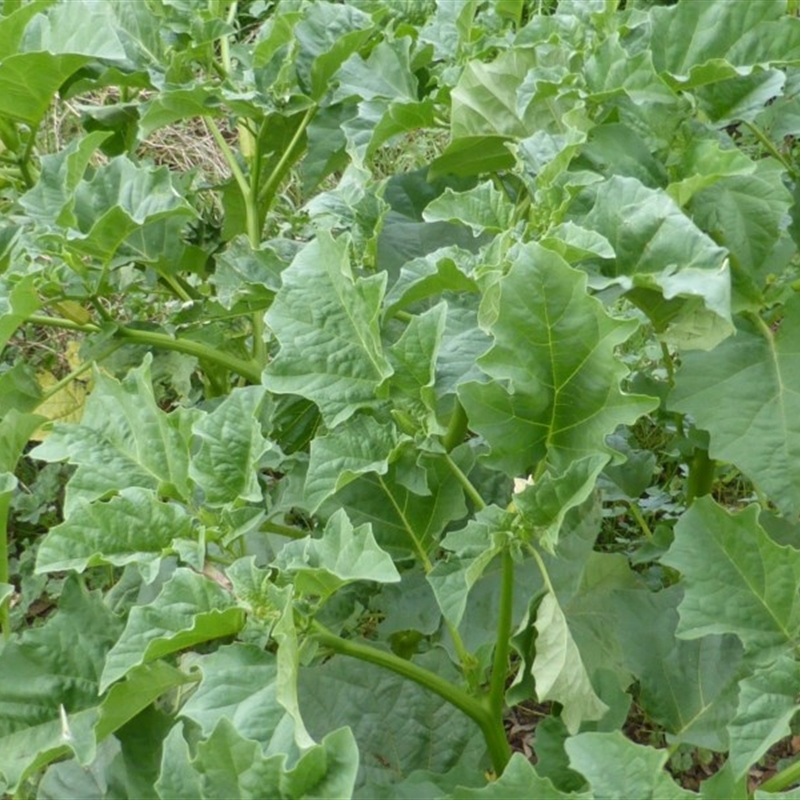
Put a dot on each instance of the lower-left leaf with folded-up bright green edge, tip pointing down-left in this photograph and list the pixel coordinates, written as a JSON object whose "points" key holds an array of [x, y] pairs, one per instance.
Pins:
{"points": [[190, 609]]}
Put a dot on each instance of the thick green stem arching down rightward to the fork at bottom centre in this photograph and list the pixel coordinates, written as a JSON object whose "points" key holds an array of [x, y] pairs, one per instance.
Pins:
{"points": [[491, 727]]}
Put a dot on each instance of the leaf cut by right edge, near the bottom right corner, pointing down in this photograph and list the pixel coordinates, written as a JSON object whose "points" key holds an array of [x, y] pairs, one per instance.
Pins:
{"points": [[767, 705]]}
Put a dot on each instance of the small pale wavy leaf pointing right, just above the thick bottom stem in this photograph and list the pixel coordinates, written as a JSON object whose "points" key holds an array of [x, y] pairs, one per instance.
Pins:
{"points": [[342, 555]]}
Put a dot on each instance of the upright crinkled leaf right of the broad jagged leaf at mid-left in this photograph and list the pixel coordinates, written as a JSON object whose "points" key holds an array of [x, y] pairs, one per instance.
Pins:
{"points": [[231, 448]]}
